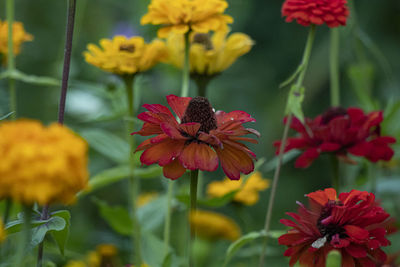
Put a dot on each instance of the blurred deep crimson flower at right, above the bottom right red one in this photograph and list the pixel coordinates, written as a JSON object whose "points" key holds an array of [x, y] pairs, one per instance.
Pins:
{"points": [[340, 131]]}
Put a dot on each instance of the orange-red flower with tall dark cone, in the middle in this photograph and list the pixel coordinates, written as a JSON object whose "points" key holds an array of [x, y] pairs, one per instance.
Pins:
{"points": [[203, 138]]}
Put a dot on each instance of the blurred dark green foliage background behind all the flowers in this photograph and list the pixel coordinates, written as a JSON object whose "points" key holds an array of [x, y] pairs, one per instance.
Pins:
{"points": [[369, 66]]}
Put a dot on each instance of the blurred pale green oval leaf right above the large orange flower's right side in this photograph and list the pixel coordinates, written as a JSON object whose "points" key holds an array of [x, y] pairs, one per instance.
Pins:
{"points": [[107, 144]]}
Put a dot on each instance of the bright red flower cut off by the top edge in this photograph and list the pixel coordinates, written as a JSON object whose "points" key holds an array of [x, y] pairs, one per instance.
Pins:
{"points": [[332, 12]]}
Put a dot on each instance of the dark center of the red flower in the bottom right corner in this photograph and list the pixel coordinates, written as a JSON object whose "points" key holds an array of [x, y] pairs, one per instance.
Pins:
{"points": [[331, 231]]}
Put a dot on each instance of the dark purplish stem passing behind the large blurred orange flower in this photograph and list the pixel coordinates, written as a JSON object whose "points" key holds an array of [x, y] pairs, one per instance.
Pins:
{"points": [[63, 96]]}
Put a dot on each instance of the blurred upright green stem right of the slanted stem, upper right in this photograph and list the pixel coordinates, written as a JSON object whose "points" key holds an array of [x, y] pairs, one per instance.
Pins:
{"points": [[334, 67]]}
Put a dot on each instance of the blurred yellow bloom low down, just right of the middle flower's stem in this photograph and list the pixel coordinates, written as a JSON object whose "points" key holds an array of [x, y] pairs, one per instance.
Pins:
{"points": [[212, 225]]}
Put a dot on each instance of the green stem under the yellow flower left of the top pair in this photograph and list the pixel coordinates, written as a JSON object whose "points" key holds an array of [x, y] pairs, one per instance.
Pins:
{"points": [[134, 183]]}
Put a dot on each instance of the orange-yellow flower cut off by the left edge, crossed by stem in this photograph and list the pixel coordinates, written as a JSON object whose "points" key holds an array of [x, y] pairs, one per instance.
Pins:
{"points": [[19, 37]]}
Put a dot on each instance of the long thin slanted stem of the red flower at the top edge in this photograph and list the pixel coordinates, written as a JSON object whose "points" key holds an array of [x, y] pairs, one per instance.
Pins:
{"points": [[299, 83]]}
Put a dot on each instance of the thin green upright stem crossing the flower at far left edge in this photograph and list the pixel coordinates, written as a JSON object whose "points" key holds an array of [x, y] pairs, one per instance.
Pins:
{"points": [[10, 7]]}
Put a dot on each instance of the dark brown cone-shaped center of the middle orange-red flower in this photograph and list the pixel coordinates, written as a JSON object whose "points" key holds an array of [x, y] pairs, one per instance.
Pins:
{"points": [[199, 110]]}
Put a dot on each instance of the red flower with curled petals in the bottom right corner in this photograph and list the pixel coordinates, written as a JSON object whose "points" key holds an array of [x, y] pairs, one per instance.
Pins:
{"points": [[351, 224]]}
